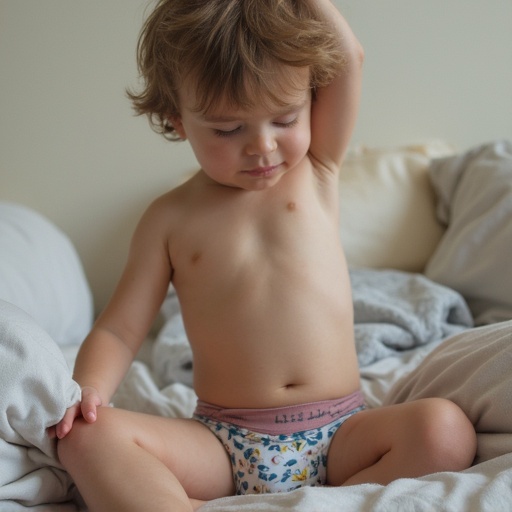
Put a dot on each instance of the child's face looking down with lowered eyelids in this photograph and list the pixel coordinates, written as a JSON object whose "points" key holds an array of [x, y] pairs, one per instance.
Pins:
{"points": [[250, 148]]}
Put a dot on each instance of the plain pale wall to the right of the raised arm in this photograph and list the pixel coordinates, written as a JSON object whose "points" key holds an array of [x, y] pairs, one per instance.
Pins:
{"points": [[434, 69]]}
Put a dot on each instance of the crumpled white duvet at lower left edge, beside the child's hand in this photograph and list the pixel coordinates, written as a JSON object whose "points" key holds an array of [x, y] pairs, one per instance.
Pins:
{"points": [[36, 388]]}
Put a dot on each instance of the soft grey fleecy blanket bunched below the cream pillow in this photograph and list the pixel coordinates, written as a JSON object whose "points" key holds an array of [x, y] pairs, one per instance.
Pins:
{"points": [[395, 311]]}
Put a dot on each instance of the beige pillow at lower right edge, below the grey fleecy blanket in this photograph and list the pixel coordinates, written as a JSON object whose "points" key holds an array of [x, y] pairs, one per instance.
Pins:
{"points": [[473, 370]]}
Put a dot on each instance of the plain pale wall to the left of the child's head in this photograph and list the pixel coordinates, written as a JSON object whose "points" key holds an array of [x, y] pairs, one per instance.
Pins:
{"points": [[69, 143]]}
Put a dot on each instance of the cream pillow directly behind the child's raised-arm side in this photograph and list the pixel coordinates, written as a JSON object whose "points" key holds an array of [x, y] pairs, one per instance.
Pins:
{"points": [[387, 207]]}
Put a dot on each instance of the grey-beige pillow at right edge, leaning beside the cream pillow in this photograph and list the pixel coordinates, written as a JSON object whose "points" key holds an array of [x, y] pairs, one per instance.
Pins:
{"points": [[475, 201]]}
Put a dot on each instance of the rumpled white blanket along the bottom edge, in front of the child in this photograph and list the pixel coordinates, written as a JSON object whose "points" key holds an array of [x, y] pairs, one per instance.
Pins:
{"points": [[484, 488]]}
